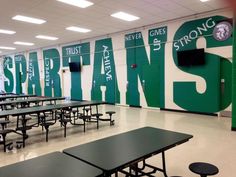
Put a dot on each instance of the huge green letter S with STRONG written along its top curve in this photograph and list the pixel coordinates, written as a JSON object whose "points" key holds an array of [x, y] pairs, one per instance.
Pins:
{"points": [[215, 70]]}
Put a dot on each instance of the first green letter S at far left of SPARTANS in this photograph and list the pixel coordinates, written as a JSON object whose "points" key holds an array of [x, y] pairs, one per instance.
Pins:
{"points": [[8, 84]]}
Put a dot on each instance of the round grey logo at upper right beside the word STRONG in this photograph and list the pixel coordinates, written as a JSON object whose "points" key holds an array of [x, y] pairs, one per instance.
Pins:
{"points": [[222, 31]]}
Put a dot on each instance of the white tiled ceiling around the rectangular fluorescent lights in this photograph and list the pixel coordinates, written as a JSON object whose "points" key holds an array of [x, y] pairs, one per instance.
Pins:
{"points": [[97, 18]]}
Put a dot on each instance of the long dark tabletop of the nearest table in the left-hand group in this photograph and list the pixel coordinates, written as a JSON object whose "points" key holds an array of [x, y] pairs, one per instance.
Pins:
{"points": [[30, 110]]}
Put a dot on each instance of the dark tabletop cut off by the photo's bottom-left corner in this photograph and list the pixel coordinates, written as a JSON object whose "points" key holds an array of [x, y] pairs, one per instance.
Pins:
{"points": [[51, 165]]}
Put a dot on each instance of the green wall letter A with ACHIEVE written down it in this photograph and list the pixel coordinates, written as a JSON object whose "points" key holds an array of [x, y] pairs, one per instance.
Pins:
{"points": [[104, 58]]}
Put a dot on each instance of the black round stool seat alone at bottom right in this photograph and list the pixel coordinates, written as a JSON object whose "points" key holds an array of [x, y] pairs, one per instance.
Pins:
{"points": [[203, 169]]}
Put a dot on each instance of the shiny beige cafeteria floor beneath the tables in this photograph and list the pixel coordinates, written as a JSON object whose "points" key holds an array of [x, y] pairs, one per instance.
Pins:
{"points": [[213, 141]]}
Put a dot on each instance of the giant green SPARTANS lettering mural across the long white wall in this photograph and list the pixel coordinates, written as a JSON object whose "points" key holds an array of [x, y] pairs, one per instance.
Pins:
{"points": [[145, 63]]}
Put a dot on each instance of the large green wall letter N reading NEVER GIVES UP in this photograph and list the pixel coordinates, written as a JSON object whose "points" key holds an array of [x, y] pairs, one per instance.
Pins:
{"points": [[151, 74]]}
